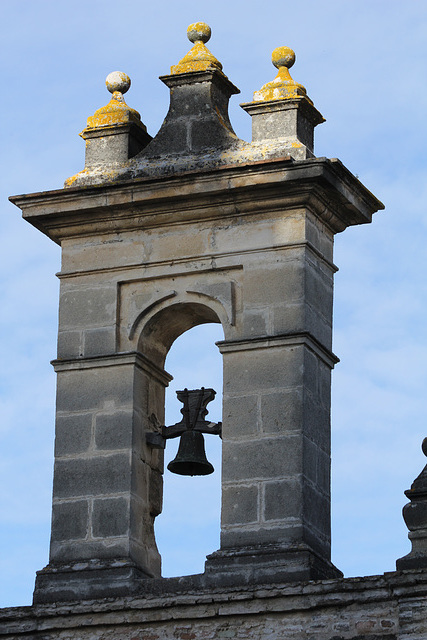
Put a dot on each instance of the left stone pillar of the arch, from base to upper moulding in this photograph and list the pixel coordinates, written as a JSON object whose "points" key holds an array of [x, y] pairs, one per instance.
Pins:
{"points": [[107, 487]]}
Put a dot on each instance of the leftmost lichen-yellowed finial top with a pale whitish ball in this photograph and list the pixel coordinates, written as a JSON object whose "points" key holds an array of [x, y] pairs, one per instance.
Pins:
{"points": [[116, 111]]}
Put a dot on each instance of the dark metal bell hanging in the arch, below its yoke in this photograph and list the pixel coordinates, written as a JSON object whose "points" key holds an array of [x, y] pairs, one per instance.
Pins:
{"points": [[191, 457]]}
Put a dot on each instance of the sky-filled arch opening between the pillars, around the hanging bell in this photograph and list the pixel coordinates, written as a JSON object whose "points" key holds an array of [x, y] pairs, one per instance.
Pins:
{"points": [[188, 528]]}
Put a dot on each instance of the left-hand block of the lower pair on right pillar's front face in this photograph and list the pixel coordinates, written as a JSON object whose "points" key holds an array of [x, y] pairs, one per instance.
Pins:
{"points": [[240, 504]]}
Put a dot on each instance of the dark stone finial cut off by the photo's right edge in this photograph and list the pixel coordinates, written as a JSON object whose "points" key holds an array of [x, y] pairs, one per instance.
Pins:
{"points": [[415, 516]]}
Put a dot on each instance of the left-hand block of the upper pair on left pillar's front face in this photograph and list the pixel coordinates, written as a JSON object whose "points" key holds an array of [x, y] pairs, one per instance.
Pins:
{"points": [[73, 434]]}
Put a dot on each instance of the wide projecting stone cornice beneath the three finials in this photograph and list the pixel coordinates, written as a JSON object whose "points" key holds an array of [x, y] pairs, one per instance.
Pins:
{"points": [[325, 186]]}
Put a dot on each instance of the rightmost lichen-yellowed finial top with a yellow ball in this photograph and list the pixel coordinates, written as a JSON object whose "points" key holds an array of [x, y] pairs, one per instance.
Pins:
{"points": [[283, 86]]}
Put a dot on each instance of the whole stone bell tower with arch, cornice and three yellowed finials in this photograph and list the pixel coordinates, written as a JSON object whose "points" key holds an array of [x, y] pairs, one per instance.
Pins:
{"points": [[159, 235]]}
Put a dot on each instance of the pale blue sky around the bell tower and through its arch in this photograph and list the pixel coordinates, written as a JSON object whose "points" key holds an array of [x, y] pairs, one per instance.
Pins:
{"points": [[364, 65]]}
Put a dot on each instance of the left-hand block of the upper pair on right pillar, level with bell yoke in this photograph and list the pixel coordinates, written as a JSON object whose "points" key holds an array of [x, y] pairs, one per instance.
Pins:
{"points": [[240, 416]]}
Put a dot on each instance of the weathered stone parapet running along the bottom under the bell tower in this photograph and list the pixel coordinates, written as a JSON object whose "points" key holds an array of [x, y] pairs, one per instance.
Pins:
{"points": [[388, 607]]}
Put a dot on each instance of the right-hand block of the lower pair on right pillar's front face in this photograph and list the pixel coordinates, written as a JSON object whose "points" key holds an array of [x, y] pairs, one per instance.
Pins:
{"points": [[283, 499]]}
